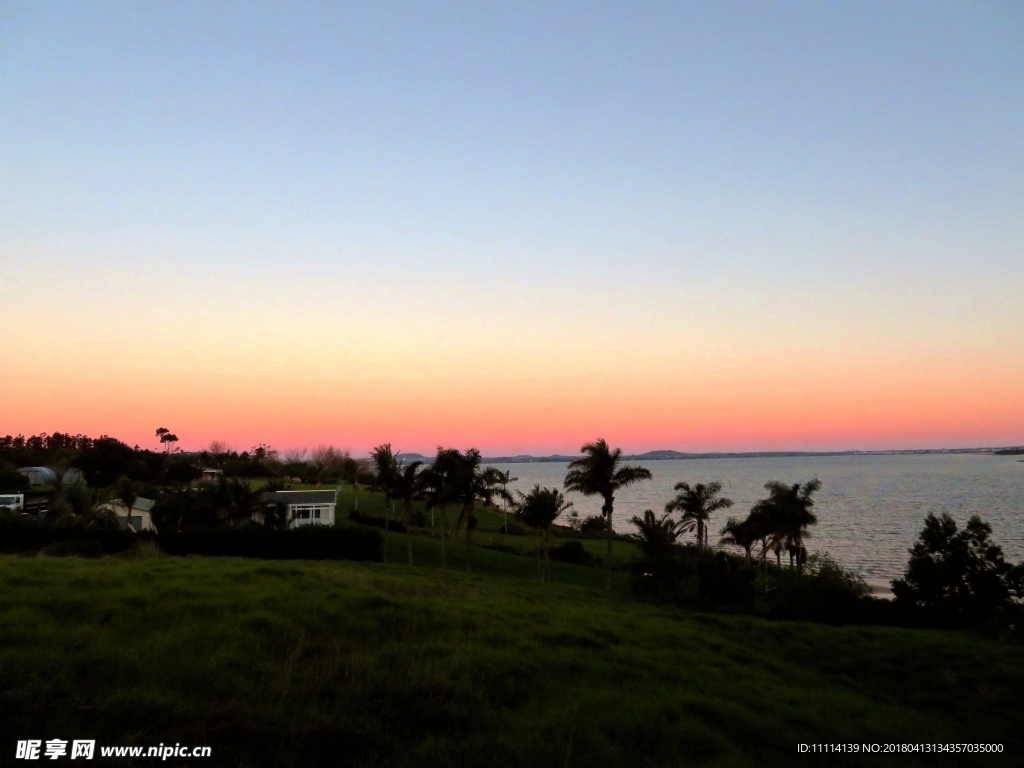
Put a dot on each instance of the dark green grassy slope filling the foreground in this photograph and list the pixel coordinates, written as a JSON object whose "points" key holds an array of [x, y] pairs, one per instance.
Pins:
{"points": [[332, 663]]}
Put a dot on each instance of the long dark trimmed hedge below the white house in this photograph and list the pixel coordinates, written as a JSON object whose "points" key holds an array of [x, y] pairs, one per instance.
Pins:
{"points": [[306, 543]]}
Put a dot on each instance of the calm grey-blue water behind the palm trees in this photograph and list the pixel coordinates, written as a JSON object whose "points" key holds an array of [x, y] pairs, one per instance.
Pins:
{"points": [[871, 508]]}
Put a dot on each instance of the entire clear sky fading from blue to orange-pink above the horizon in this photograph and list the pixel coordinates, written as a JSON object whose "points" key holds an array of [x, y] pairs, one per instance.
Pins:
{"points": [[519, 227]]}
